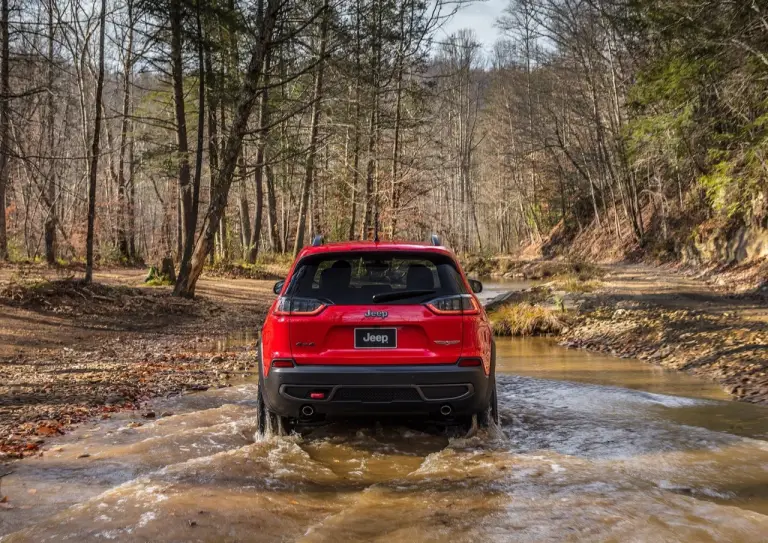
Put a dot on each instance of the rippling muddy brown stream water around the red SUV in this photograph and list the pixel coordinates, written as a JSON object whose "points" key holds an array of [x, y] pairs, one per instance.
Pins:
{"points": [[591, 448]]}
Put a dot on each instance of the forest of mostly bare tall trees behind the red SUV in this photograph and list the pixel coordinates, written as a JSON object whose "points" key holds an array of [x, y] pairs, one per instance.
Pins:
{"points": [[220, 130]]}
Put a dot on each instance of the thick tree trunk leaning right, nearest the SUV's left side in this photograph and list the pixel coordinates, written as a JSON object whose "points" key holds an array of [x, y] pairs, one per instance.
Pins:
{"points": [[248, 94]]}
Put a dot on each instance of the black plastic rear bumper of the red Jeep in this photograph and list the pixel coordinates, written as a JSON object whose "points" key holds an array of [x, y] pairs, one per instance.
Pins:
{"points": [[377, 390]]}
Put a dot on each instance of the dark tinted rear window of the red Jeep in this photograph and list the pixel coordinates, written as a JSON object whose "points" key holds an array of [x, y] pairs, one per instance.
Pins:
{"points": [[376, 277]]}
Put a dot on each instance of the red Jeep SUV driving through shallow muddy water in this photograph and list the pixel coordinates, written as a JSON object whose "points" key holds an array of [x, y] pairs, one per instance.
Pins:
{"points": [[376, 328]]}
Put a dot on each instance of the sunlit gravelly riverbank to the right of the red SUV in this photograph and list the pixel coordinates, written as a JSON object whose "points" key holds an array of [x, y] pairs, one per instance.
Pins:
{"points": [[673, 320]]}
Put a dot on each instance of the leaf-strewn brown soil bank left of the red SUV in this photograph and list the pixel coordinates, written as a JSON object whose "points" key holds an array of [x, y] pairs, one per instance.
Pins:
{"points": [[69, 352]]}
